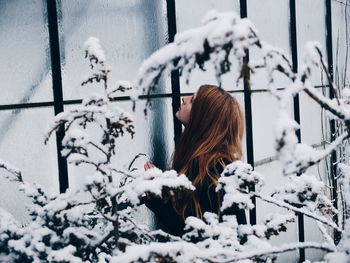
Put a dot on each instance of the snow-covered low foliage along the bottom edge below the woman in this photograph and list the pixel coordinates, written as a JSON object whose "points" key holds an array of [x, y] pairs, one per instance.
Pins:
{"points": [[210, 240]]}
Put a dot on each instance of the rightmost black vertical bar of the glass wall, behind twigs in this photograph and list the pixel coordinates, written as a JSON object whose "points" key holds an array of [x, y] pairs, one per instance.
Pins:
{"points": [[333, 160]]}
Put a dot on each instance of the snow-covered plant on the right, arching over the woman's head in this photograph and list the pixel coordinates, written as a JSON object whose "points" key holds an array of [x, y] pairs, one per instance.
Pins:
{"points": [[224, 36]]}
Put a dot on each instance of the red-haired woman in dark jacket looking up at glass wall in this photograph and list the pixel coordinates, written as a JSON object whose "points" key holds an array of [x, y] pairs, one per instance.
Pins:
{"points": [[212, 138]]}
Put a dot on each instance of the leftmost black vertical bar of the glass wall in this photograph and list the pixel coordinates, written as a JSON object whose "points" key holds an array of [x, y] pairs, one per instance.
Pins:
{"points": [[57, 89]]}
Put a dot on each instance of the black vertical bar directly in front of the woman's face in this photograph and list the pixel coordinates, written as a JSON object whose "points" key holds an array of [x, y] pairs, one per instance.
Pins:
{"points": [[175, 75]]}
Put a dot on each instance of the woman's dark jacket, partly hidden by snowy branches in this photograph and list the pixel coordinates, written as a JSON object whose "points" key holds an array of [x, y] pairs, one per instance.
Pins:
{"points": [[209, 200]]}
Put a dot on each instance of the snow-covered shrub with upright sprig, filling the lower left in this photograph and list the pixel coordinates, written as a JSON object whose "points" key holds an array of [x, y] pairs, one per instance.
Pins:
{"points": [[95, 222]]}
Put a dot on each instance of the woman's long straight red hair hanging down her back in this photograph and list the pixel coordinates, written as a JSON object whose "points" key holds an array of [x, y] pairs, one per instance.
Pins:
{"points": [[213, 134]]}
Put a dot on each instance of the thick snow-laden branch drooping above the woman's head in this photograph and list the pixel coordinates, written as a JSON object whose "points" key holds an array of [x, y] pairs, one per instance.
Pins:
{"points": [[220, 34]]}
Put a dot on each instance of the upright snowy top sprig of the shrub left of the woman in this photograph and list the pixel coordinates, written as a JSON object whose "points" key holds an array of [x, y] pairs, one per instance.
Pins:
{"points": [[95, 111]]}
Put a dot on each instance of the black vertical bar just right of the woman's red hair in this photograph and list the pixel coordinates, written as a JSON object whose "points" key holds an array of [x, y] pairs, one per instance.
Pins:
{"points": [[248, 113]]}
